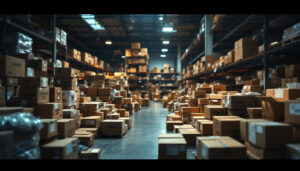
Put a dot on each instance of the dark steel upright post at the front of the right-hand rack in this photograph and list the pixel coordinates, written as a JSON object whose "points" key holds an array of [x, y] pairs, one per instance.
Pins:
{"points": [[266, 57]]}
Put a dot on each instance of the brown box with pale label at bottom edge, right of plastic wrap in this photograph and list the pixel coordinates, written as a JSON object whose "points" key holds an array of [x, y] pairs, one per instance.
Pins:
{"points": [[60, 149]]}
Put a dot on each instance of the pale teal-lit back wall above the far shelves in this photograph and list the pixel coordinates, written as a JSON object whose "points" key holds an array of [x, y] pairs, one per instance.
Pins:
{"points": [[157, 61]]}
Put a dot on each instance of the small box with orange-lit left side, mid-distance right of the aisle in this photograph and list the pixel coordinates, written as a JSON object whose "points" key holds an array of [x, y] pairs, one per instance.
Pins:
{"points": [[214, 110]]}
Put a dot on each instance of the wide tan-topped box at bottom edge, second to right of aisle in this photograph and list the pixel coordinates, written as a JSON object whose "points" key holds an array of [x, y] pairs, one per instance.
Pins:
{"points": [[220, 148]]}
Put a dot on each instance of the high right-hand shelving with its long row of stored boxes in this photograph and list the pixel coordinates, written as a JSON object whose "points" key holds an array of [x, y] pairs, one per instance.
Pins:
{"points": [[220, 37]]}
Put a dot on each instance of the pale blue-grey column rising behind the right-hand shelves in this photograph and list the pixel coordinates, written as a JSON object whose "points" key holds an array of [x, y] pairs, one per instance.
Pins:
{"points": [[208, 40]]}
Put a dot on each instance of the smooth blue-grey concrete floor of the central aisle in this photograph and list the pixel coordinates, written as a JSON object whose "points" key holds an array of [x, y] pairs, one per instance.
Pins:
{"points": [[141, 141]]}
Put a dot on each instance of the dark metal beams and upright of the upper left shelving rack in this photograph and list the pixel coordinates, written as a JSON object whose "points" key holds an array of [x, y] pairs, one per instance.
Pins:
{"points": [[55, 46]]}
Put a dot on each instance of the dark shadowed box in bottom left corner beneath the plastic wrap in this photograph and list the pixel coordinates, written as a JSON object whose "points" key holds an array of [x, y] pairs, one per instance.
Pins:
{"points": [[7, 141]]}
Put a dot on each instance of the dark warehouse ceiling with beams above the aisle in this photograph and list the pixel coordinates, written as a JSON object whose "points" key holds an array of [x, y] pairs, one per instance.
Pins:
{"points": [[123, 29]]}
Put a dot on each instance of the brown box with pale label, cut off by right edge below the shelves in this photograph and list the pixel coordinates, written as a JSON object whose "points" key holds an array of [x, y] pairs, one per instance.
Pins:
{"points": [[292, 112]]}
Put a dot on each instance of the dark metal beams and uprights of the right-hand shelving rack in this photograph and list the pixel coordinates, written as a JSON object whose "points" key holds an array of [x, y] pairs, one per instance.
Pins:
{"points": [[267, 27]]}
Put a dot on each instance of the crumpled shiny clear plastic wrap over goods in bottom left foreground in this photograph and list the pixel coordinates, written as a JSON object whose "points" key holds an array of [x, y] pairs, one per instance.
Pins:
{"points": [[26, 128]]}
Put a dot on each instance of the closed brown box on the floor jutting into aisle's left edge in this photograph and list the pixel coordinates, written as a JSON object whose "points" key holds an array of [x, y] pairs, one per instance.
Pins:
{"points": [[112, 127]]}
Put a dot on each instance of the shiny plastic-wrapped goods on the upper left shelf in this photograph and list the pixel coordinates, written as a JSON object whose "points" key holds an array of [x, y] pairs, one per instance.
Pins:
{"points": [[17, 43]]}
